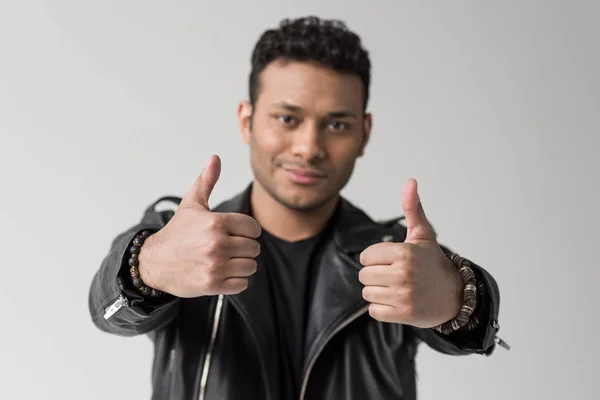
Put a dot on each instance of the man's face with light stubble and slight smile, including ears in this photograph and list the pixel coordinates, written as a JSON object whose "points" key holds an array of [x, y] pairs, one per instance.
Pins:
{"points": [[305, 132]]}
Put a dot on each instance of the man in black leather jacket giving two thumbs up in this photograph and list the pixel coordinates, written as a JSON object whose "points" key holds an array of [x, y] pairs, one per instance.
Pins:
{"points": [[287, 290]]}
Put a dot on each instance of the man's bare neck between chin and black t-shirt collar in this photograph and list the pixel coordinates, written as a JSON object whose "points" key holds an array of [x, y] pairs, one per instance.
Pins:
{"points": [[287, 223]]}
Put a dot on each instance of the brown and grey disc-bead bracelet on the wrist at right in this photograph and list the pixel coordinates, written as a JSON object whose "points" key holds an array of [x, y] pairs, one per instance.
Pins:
{"points": [[465, 318]]}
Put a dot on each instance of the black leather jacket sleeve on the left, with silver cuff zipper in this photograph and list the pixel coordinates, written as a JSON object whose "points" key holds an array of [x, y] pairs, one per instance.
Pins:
{"points": [[115, 306]]}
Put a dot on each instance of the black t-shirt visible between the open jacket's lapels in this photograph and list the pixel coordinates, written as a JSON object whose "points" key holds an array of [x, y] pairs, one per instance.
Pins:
{"points": [[289, 269]]}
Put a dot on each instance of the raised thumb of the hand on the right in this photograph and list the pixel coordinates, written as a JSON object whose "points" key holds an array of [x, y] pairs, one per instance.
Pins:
{"points": [[418, 227]]}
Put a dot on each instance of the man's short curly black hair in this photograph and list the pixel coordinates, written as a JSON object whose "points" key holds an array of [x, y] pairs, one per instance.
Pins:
{"points": [[311, 39]]}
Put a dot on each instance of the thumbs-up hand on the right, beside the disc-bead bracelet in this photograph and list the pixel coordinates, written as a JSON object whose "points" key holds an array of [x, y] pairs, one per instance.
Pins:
{"points": [[413, 282]]}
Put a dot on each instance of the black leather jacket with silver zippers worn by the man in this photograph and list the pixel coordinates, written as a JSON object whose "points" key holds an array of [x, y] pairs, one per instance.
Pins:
{"points": [[221, 347]]}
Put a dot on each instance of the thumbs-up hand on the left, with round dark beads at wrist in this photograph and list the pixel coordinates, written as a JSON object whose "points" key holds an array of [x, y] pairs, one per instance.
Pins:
{"points": [[200, 252]]}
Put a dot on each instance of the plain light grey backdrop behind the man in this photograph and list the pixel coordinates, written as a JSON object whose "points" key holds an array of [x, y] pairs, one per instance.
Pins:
{"points": [[492, 106]]}
